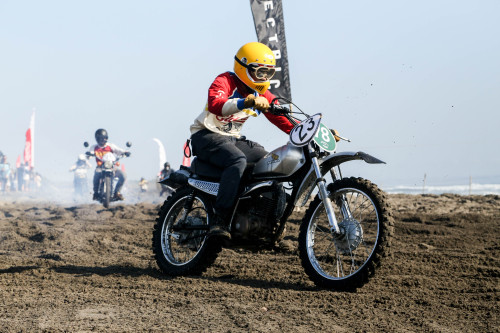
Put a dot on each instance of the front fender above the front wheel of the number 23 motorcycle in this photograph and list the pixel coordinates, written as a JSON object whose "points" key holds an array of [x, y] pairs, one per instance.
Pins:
{"points": [[325, 164]]}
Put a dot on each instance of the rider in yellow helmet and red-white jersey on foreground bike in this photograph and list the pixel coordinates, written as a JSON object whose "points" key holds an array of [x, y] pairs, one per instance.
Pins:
{"points": [[215, 134]]}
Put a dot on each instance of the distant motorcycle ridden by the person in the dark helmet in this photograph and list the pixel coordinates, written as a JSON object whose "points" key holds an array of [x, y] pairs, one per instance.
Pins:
{"points": [[106, 182]]}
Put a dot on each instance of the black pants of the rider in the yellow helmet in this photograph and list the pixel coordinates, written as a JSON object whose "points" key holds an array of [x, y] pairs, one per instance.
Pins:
{"points": [[230, 154]]}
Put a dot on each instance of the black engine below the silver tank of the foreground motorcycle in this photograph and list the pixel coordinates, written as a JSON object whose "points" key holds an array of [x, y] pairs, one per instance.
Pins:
{"points": [[258, 214]]}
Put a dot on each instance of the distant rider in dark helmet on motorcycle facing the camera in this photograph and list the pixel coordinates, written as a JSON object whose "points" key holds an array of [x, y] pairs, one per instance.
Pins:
{"points": [[102, 148]]}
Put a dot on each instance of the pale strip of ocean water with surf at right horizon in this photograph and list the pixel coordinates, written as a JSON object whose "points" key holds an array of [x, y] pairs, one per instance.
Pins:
{"points": [[472, 189]]}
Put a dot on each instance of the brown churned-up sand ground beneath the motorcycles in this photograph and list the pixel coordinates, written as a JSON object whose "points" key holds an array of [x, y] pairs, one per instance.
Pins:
{"points": [[82, 268]]}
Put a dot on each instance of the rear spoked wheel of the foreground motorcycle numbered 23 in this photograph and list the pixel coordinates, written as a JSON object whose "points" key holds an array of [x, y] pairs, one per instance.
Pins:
{"points": [[180, 244]]}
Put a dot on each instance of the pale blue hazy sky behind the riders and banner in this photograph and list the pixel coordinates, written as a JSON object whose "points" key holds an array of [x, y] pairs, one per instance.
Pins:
{"points": [[414, 83]]}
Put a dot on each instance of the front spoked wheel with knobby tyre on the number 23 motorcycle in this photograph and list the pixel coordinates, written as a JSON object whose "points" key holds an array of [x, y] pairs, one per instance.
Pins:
{"points": [[346, 261]]}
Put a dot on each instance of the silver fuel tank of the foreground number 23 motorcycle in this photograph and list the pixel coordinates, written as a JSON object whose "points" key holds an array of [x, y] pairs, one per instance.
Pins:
{"points": [[281, 162]]}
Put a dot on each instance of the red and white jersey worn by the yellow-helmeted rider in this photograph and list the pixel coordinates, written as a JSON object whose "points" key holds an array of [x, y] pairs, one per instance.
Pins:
{"points": [[224, 112]]}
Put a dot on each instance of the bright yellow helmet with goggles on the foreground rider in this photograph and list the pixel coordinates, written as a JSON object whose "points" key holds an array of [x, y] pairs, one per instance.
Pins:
{"points": [[254, 64]]}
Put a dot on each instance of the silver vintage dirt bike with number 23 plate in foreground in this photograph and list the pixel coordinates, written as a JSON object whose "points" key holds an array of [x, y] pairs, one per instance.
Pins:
{"points": [[344, 235]]}
